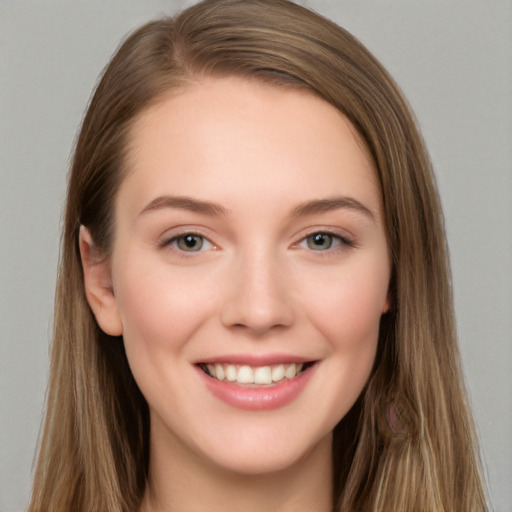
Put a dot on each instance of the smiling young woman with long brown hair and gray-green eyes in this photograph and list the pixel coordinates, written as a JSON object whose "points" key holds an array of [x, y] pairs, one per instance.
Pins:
{"points": [[254, 297]]}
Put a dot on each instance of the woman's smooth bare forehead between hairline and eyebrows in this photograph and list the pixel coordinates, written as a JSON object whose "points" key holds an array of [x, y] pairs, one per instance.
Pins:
{"points": [[236, 137]]}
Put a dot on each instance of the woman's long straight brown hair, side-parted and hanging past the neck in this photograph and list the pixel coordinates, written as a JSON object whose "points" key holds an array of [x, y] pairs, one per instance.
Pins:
{"points": [[408, 443]]}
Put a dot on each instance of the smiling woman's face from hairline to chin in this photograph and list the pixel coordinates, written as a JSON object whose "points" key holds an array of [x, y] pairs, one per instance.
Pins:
{"points": [[249, 272]]}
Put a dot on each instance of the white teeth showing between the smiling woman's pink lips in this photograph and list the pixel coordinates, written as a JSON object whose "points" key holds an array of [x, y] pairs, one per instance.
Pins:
{"points": [[255, 375]]}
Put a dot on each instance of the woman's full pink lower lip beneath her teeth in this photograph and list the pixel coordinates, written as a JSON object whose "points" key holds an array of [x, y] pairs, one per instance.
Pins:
{"points": [[258, 399]]}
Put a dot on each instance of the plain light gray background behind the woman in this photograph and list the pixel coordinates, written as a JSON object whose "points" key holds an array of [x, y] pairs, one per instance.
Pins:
{"points": [[452, 58]]}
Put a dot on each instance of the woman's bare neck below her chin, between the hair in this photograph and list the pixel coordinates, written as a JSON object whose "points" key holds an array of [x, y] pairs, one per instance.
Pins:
{"points": [[189, 484]]}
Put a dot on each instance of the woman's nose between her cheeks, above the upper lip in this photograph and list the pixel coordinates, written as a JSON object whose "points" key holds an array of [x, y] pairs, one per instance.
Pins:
{"points": [[257, 296]]}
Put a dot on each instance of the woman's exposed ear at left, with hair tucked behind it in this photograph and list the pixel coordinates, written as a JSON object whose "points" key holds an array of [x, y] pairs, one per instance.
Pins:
{"points": [[98, 285]]}
